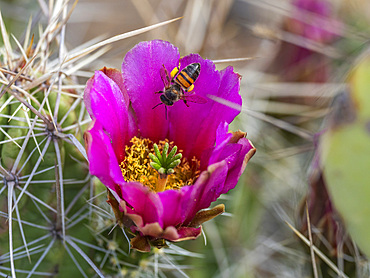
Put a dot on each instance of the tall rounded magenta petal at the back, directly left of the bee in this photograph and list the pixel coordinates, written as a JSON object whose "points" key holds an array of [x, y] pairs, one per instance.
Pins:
{"points": [[141, 72]]}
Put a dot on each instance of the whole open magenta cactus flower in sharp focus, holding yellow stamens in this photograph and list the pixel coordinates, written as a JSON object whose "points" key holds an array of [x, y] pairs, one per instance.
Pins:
{"points": [[128, 138]]}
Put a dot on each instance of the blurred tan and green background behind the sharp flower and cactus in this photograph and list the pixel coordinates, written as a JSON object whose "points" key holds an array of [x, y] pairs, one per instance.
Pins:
{"points": [[294, 58]]}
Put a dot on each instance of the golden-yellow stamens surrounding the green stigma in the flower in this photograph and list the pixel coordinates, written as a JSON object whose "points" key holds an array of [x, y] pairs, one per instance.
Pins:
{"points": [[136, 166]]}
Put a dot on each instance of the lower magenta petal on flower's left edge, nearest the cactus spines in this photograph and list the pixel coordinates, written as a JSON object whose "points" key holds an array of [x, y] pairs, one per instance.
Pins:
{"points": [[102, 161]]}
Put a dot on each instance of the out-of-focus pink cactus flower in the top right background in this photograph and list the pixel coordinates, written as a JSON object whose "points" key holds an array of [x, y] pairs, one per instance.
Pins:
{"points": [[313, 23]]}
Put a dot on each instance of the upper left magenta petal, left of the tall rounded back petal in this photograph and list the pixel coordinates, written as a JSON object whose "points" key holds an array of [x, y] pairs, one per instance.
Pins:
{"points": [[109, 108]]}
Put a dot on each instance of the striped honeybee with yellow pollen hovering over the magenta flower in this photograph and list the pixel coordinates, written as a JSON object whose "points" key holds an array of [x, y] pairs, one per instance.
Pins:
{"points": [[179, 86]]}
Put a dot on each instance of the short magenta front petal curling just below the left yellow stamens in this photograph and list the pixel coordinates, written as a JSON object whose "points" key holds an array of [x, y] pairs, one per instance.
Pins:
{"points": [[144, 202]]}
